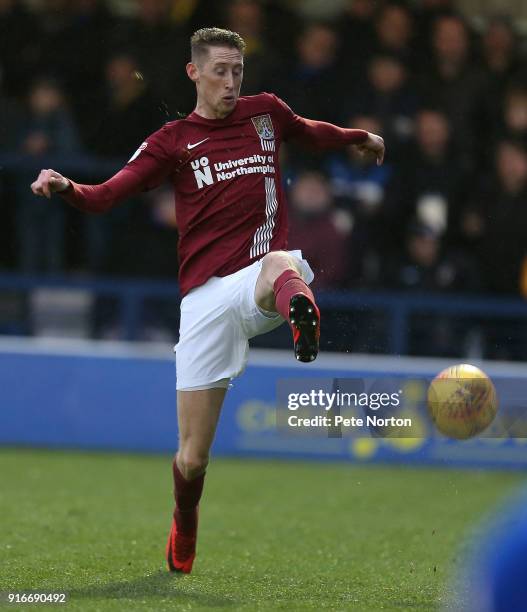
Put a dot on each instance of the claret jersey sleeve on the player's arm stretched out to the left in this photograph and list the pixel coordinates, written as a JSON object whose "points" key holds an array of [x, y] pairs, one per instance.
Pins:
{"points": [[152, 163]]}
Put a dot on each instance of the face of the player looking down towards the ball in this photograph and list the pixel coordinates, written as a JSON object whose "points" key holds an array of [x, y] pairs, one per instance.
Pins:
{"points": [[218, 80]]}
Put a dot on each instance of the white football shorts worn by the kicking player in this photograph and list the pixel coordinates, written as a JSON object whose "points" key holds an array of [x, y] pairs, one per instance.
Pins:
{"points": [[217, 320]]}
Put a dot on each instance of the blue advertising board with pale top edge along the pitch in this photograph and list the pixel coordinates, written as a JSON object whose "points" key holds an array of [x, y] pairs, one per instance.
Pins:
{"points": [[121, 396]]}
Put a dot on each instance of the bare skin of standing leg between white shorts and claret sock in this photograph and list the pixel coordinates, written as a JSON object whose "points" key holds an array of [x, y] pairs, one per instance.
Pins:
{"points": [[198, 414]]}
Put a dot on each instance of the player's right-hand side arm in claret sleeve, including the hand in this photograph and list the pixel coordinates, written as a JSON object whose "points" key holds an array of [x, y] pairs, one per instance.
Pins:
{"points": [[323, 135]]}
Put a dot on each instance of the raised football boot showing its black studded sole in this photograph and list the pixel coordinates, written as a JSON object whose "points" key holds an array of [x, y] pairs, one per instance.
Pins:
{"points": [[304, 316]]}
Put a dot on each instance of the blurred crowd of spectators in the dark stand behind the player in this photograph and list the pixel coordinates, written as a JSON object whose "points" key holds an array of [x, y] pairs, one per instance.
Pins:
{"points": [[446, 212]]}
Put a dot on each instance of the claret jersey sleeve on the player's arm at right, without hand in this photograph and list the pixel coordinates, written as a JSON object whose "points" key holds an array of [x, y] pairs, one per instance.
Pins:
{"points": [[317, 134]]}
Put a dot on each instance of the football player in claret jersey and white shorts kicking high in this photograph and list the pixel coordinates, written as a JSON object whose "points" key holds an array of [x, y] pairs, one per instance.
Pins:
{"points": [[236, 278]]}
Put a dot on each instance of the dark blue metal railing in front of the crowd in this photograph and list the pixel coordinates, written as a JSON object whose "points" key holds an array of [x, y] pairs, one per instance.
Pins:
{"points": [[396, 308]]}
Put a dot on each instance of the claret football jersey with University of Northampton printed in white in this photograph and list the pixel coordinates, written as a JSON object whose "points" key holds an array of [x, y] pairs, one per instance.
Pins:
{"points": [[229, 200]]}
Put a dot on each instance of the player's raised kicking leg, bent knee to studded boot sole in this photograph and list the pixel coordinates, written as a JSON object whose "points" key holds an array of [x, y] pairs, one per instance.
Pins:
{"points": [[281, 288]]}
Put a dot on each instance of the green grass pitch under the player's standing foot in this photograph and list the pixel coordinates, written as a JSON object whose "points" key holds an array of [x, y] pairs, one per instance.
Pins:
{"points": [[273, 535]]}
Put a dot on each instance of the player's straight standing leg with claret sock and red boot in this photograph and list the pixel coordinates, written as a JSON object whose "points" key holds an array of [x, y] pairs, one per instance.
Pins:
{"points": [[198, 414]]}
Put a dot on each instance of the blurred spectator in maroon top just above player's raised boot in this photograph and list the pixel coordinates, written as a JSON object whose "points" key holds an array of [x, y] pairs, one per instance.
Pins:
{"points": [[319, 229]]}
